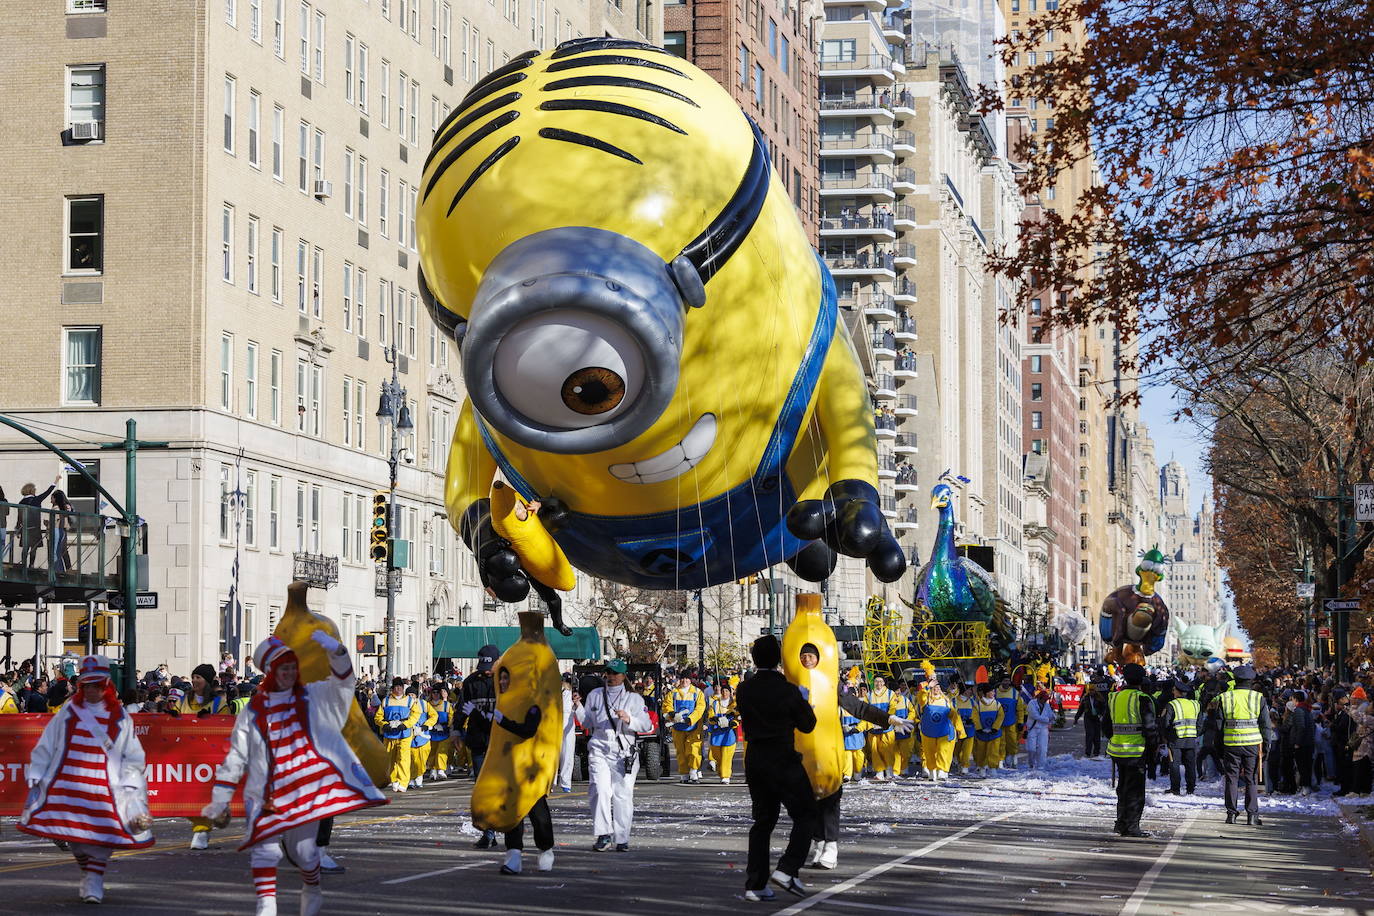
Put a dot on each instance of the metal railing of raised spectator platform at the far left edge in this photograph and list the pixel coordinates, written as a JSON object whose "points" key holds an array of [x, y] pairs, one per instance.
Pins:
{"points": [[49, 549]]}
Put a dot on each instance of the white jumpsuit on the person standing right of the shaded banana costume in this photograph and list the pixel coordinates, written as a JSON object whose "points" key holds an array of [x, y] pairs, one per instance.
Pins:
{"points": [[609, 742]]}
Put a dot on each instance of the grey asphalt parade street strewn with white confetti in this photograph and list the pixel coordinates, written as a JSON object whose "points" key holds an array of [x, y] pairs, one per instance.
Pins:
{"points": [[1006, 845]]}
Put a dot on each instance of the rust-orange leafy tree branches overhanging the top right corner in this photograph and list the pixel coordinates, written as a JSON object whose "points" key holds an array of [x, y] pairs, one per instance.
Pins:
{"points": [[1236, 149]]}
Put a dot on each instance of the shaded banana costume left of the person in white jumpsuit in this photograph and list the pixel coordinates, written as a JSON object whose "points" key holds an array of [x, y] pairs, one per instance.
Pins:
{"points": [[519, 771]]}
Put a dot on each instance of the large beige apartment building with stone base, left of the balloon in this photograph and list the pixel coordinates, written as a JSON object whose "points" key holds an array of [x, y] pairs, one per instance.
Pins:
{"points": [[219, 203]]}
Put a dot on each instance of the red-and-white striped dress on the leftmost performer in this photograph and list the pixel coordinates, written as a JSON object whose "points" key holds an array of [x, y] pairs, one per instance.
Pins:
{"points": [[79, 807]]}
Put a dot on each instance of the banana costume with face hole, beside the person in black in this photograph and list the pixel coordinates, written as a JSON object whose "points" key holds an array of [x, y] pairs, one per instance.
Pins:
{"points": [[824, 749]]}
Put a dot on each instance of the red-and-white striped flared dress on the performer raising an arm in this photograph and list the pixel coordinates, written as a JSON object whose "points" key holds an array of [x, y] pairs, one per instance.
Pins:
{"points": [[303, 786]]}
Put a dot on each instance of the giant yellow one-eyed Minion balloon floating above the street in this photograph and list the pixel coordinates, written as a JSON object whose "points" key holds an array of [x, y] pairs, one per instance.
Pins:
{"points": [[651, 345]]}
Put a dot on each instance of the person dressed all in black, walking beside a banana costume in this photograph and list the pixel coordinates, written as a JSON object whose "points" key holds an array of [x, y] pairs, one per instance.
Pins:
{"points": [[772, 709]]}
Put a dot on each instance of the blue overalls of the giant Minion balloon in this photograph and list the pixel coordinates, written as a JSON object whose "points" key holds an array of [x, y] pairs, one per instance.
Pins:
{"points": [[733, 535]]}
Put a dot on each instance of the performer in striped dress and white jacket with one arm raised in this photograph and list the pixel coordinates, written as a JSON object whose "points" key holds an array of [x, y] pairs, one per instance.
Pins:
{"points": [[289, 751]]}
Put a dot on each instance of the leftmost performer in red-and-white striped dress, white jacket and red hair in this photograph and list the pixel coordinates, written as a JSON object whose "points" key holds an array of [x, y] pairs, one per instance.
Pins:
{"points": [[87, 783]]}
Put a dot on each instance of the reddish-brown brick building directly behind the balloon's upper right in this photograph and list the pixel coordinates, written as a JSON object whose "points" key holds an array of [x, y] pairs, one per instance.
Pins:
{"points": [[765, 54]]}
